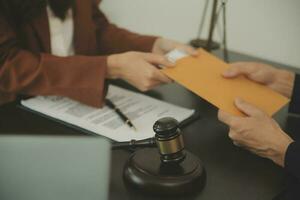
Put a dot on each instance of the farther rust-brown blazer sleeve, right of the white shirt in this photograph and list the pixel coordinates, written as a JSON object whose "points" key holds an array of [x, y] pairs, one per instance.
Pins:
{"points": [[112, 39]]}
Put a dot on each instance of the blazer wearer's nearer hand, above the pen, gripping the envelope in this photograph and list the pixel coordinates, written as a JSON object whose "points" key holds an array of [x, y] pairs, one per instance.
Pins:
{"points": [[138, 69]]}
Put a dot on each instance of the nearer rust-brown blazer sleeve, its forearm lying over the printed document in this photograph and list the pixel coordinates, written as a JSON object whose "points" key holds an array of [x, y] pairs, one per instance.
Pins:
{"points": [[24, 72]]}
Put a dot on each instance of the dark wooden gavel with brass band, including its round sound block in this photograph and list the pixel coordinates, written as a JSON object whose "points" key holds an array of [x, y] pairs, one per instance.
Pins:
{"points": [[167, 169]]}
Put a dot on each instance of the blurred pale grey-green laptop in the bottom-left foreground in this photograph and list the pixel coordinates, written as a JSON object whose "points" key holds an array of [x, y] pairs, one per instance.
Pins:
{"points": [[54, 168]]}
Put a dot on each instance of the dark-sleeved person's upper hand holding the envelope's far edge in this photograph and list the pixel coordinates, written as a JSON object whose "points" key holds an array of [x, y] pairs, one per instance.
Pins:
{"points": [[281, 81]]}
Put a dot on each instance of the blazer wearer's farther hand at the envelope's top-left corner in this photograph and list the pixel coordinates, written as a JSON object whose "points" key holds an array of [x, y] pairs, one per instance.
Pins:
{"points": [[163, 46]]}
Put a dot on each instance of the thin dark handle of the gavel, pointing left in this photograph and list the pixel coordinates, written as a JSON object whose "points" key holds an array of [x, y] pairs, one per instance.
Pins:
{"points": [[133, 144]]}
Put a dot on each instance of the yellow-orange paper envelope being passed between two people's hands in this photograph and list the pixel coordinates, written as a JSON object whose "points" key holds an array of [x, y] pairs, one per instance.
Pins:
{"points": [[203, 76]]}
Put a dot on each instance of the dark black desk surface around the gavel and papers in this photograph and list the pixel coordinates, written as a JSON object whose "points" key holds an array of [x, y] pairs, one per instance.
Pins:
{"points": [[232, 173]]}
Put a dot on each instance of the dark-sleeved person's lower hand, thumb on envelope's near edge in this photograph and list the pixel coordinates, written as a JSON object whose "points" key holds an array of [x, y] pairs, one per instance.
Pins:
{"points": [[257, 132]]}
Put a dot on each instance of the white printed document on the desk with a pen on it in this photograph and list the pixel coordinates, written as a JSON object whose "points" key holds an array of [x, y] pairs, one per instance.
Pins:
{"points": [[142, 110]]}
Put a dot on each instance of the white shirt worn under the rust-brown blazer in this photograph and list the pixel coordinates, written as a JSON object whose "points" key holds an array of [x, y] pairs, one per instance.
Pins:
{"points": [[61, 34]]}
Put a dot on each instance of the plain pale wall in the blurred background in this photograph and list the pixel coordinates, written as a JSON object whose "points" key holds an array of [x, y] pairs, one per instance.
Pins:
{"points": [[268, 29]]}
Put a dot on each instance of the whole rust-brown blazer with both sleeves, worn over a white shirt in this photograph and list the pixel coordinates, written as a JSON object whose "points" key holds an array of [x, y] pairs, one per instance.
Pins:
{"points": [[28, 68]]}
